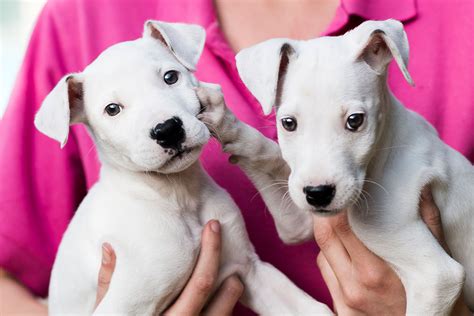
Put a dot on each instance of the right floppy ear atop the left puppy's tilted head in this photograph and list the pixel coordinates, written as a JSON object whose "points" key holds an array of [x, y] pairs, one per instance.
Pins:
{"points": [[185, 41]]}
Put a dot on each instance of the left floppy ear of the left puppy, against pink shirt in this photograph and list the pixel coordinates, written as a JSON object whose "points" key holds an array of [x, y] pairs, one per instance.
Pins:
{"points": [[63, 106]]}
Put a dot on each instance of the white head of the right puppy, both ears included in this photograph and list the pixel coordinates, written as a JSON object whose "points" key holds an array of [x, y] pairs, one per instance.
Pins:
{"points": [[329, 95]]}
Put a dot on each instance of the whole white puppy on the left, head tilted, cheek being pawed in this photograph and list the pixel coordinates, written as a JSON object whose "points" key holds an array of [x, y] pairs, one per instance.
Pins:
{"points": [[138, 100]]}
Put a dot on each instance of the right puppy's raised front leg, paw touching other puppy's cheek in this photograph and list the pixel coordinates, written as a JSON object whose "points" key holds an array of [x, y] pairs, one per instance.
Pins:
{"points": [[261, 160]]}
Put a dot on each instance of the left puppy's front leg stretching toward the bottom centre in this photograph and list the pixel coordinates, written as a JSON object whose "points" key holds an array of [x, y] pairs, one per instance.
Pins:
{"points": [[267, 290]]}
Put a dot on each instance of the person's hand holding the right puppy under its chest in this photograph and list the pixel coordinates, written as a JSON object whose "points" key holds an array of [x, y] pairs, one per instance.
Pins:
{"points": [[359, 281]]}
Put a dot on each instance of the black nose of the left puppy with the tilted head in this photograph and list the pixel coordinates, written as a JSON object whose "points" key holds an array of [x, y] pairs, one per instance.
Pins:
{"points": [[169, 134]]}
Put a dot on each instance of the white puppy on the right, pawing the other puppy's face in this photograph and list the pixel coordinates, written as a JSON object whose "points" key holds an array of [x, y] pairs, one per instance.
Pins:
{"points": [[350, 144]]}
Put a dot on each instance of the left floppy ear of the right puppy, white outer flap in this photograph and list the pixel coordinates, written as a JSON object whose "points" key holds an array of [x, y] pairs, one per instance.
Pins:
{"points": [[263, 68]]}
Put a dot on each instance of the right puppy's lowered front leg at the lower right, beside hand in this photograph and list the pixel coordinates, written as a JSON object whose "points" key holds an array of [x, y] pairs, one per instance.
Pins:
{"points": [[432, 279]]}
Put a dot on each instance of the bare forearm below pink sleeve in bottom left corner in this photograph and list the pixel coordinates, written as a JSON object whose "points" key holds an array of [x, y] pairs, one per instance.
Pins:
{"points": [[16, 299]]}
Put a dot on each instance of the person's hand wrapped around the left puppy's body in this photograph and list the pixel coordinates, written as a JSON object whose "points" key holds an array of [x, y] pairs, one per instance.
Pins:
{"points": [[198, 296]]}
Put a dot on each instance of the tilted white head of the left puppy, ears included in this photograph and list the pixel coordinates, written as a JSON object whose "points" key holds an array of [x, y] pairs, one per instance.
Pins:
{"points": [[137, 99]]}
